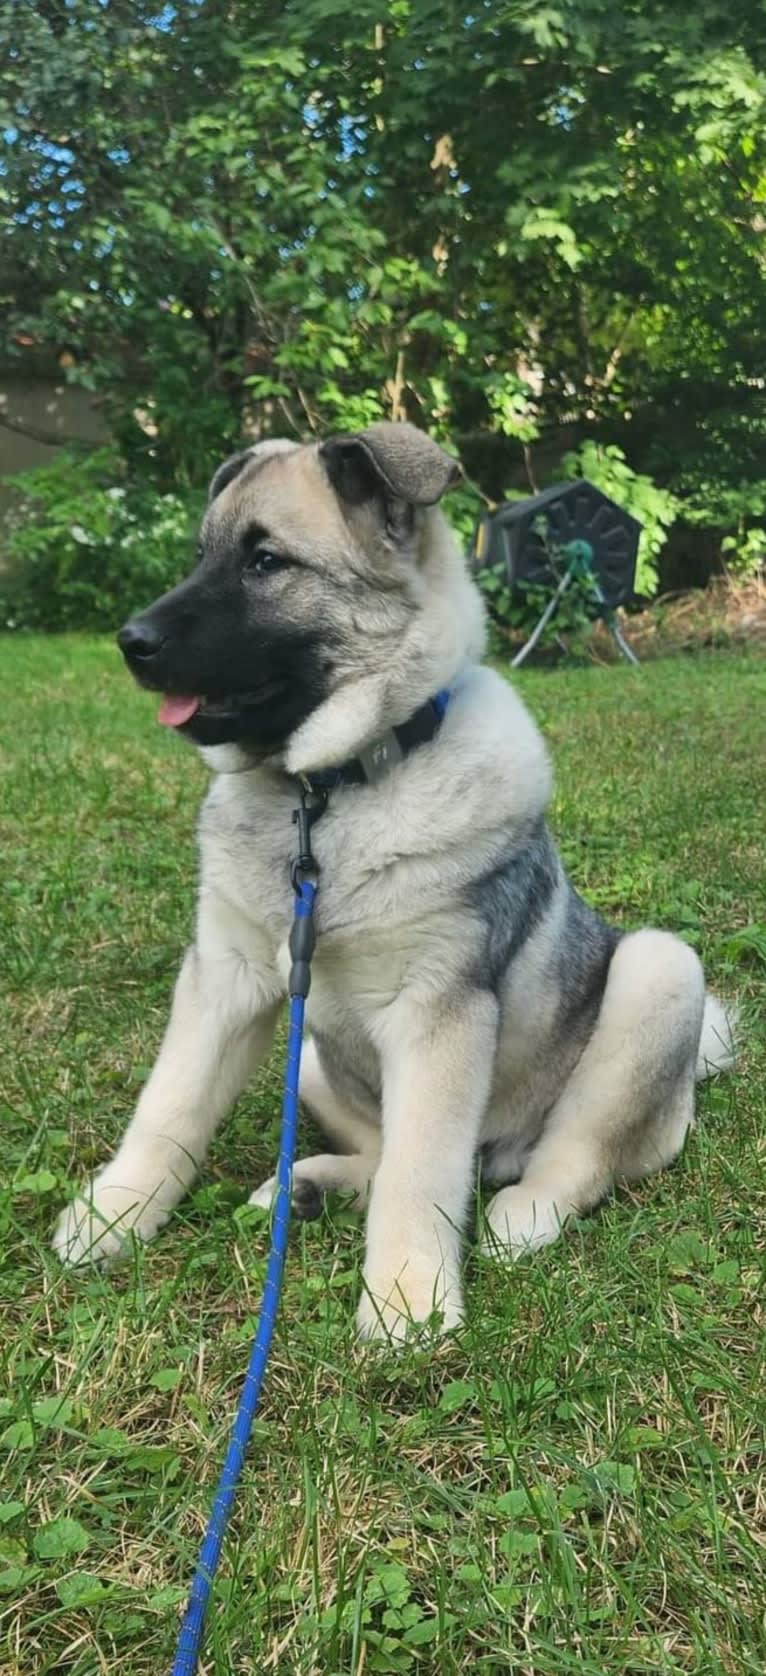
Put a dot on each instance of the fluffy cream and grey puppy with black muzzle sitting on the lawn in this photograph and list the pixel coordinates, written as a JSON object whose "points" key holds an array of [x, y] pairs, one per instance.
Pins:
{"points": [[465, 1003]]}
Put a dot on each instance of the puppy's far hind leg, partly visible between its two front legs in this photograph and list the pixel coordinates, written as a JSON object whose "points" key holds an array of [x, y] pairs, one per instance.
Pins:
{"points": [[358, 1137]]}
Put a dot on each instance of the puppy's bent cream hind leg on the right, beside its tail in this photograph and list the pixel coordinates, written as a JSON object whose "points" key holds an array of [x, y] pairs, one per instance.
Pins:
{"points": [[629, 1104]]}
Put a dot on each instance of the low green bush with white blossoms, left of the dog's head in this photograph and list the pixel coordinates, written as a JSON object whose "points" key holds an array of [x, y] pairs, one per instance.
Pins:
{"points": [[83, 549]]}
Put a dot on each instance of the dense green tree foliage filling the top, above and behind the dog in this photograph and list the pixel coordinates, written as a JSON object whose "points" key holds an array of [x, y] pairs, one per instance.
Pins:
{"points": [[525, 225]]}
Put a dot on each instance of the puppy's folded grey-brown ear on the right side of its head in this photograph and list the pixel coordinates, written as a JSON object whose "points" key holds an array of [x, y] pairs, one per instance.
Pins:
{"points": [[396, 458]]}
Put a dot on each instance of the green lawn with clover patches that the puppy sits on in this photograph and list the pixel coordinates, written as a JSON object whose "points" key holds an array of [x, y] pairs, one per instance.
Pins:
{"points": [[572, 1484]]}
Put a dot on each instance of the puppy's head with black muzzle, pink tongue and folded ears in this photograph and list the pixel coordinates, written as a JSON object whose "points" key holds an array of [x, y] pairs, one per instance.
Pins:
{"points": [[326, 601]]}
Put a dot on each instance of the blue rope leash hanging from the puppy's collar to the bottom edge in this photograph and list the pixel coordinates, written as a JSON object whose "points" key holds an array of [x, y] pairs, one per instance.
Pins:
{"points": [[301, 948]]}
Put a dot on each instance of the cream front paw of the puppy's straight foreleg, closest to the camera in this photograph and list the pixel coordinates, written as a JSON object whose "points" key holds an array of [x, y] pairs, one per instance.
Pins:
{"points": [[401, 1300]]}
